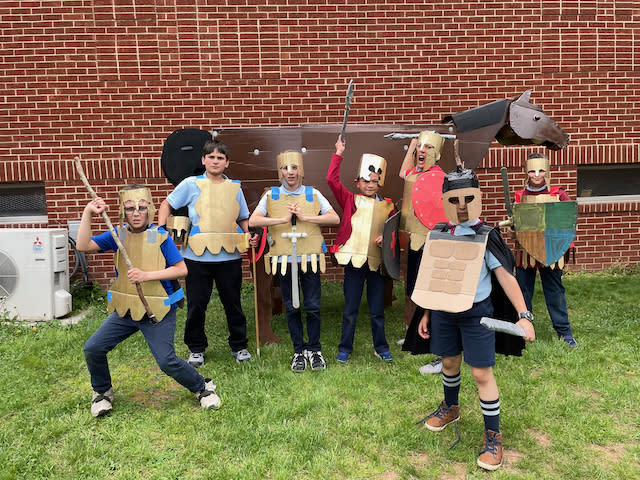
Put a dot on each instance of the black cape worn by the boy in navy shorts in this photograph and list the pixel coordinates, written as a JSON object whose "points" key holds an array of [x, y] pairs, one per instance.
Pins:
{"points": [[502, 308]]}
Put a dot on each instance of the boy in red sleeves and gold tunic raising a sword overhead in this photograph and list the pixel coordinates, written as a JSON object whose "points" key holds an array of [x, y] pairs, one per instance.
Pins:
{"points": [[357, 248]]}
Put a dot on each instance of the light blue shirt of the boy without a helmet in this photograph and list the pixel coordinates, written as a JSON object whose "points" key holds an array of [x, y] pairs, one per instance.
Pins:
{"points": [[187, 194]]}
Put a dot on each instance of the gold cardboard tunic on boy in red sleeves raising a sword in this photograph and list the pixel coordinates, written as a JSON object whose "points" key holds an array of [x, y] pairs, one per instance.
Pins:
{"points": [[367, 224]]}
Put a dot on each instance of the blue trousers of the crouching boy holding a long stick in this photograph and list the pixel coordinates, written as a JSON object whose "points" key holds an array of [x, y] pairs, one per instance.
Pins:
{"points": [[159, 337]]}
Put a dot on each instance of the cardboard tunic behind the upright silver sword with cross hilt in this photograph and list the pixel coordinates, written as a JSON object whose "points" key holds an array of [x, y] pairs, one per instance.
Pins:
{"points": [[309, 248]]}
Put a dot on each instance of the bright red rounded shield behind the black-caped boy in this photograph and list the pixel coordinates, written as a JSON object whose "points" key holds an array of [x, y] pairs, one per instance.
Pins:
{"points": [[427, 198]]}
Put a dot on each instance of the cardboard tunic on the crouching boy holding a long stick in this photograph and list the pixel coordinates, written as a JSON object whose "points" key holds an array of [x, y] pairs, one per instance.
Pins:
{"points": [[144, 252]]}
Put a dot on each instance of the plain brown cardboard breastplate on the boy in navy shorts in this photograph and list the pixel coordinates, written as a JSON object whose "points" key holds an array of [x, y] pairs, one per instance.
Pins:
{"points": [[449, 271]]}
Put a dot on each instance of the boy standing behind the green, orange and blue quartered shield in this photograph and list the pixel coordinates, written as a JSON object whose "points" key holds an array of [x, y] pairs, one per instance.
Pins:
{"points": [[537, 189]]}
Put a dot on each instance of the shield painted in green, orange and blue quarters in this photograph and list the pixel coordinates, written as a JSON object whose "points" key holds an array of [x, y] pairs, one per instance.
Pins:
{"points": [[545, 230]]}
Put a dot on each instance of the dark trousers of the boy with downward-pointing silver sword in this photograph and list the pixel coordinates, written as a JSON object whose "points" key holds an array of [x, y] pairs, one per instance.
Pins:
{"points": [[309, 284]]}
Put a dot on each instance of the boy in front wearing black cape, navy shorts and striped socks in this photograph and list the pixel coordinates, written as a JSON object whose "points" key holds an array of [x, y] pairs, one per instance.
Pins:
{"points": [[454, 284]]}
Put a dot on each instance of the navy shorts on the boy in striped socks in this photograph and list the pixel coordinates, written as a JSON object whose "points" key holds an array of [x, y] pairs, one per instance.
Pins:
{"points": [[452, 333]]}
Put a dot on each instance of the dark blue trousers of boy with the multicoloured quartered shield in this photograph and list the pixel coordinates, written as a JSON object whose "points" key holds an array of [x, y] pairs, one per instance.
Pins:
{"points": [[553, 289]]}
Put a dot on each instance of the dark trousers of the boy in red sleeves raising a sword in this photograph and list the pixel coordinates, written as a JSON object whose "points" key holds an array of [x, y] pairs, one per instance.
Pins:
{"points": [[354, 280]]}
